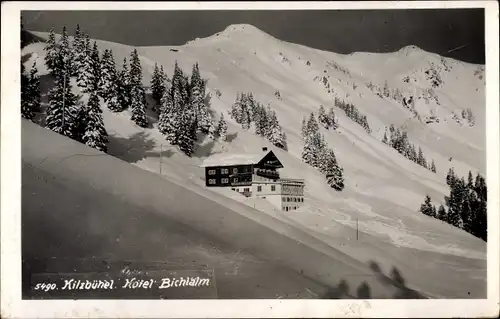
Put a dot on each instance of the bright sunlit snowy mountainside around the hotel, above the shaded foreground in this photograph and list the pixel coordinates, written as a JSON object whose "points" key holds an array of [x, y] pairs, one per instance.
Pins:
{"points": [[383, 189]]}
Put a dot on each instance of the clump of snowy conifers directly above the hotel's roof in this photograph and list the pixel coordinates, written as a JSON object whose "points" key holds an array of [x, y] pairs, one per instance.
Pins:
{"points": [[246, 110]]}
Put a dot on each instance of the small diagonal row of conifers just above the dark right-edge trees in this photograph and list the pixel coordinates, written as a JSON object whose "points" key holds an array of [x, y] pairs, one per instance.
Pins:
{"points": [[398, 140]]}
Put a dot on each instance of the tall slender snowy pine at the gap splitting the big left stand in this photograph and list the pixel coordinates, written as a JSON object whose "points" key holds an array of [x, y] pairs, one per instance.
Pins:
{"points": [[138, 94]]}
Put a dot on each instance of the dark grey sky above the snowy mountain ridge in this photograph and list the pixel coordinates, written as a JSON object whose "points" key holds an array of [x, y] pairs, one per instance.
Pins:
{"points": [[455, 33]]}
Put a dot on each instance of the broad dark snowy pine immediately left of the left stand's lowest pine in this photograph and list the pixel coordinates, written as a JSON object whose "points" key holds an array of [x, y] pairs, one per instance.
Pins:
{"points": [[63, 107]]}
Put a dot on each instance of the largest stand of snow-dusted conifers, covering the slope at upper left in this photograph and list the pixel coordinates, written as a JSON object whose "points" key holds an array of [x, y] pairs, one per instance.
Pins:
{"points": [[181, 103]]}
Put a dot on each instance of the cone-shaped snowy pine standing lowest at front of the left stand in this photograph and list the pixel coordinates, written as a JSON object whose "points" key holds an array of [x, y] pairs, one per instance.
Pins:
{"points": [[95, 134]]}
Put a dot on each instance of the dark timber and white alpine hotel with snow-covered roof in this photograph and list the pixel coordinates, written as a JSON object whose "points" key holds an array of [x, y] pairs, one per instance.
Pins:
{"points": [[255, 175]]}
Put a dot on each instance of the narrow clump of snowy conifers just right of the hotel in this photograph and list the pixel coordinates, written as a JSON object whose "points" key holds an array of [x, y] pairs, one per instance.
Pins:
{"points": [[317, 153]]}
